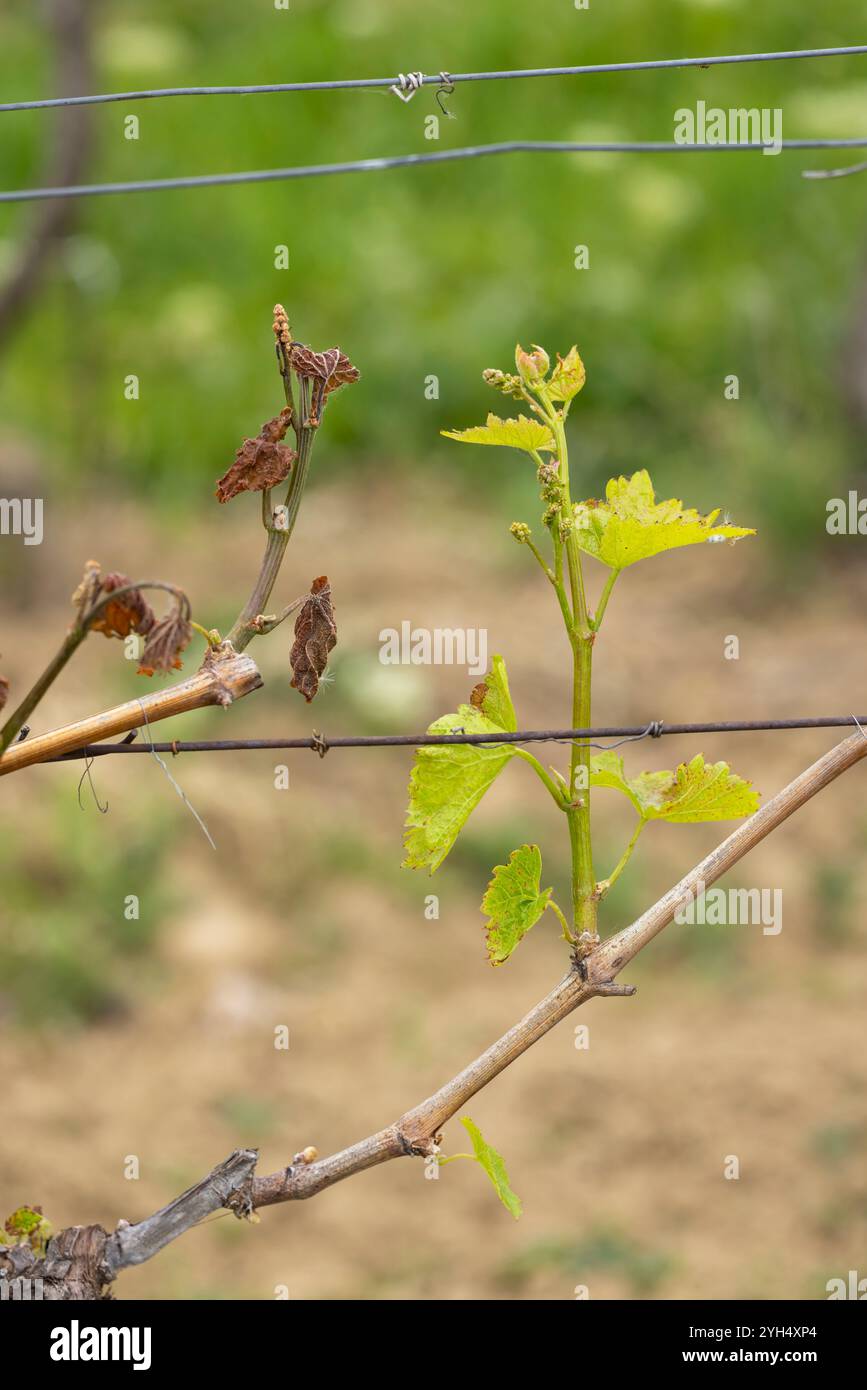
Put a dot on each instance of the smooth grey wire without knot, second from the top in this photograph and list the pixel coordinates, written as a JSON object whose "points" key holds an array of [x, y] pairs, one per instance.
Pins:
{"points": [[470, 152]]}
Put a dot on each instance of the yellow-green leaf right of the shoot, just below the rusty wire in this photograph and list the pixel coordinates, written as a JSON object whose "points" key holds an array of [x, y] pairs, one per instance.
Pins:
{"points": [[697, 792]]}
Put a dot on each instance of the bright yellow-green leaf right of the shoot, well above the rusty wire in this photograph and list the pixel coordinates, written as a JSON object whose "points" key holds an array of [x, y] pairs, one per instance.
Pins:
{"points": [[631, 526]]}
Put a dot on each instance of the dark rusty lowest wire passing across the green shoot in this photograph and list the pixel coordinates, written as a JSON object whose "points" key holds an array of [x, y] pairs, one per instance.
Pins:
{"points": [[657, 729]]}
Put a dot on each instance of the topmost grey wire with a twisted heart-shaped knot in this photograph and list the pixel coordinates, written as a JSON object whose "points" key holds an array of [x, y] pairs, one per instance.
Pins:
{"points": [[344, 84]]}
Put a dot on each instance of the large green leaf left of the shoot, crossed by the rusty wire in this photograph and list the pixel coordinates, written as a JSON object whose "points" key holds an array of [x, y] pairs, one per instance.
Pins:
{"points": [[449, 780]]}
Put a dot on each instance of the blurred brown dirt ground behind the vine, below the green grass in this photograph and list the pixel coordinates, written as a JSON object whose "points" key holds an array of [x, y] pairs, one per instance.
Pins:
{"points": [[750, 1046]]}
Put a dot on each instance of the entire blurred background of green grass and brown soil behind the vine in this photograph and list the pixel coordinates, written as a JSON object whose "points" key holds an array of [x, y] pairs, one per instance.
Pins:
{"points": [[155, 1036]]}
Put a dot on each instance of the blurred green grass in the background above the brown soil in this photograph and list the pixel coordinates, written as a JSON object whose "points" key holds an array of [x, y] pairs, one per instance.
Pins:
{"points": [[701, 266]]}
